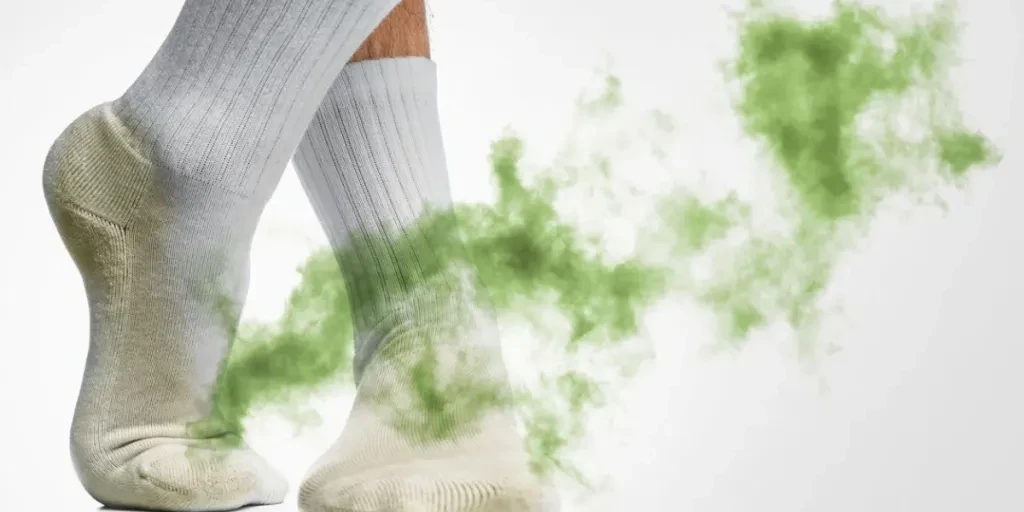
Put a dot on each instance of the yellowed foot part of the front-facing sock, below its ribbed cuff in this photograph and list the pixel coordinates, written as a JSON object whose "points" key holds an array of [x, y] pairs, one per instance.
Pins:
{"points": [[440, 446]]}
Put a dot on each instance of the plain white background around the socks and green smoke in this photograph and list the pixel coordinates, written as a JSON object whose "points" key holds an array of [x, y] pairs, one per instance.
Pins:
{"points": [[923, 411]]}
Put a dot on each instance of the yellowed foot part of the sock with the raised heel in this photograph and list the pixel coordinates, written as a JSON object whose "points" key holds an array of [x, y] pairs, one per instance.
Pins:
{"points": [[149, 250]]}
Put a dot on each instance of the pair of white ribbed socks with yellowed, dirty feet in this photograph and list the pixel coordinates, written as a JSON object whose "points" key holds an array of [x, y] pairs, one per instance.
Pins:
{"points": [[157, 196]]}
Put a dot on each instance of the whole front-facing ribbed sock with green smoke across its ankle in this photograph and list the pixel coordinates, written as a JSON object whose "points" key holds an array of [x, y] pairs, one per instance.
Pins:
{"points": [[432, 430]]}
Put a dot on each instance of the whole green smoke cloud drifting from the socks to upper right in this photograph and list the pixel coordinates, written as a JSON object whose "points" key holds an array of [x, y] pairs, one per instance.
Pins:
{"points": [[850, 112]]}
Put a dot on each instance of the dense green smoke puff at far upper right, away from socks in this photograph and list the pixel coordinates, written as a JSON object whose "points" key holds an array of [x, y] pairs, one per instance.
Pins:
{"points": [[854, 111]]}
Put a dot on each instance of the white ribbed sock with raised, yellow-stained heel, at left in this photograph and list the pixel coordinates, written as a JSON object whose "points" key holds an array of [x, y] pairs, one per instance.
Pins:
{"points": [[157, 196]]}
